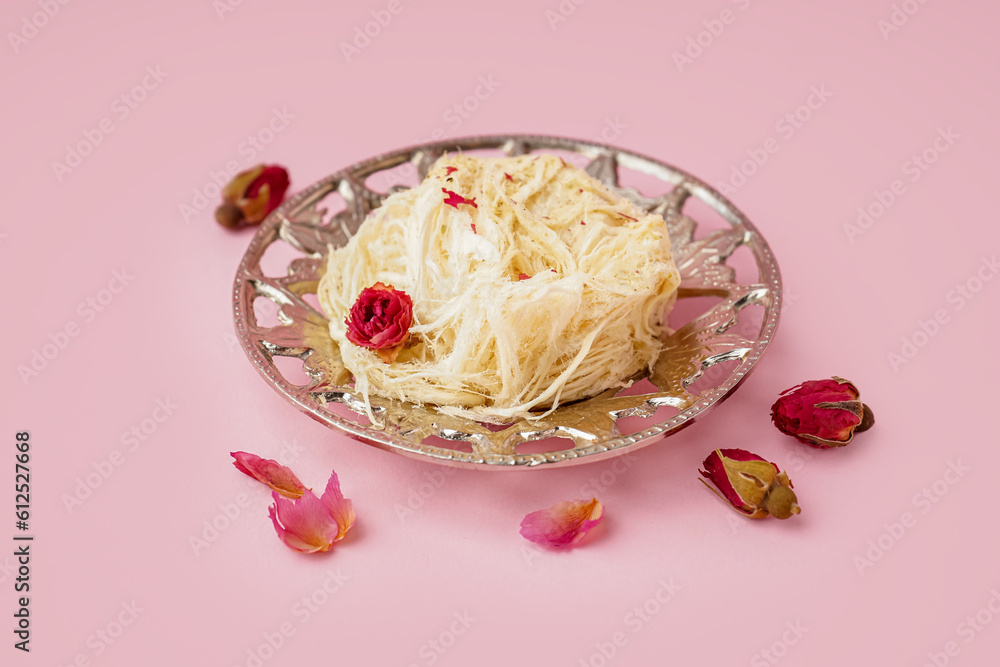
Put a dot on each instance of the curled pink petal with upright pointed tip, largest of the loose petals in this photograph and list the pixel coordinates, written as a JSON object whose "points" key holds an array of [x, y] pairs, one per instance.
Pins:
{"points": [[312, 524]]}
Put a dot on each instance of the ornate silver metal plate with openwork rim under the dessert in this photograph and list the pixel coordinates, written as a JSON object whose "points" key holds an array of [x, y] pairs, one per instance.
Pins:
{"points": [[703, 361]]}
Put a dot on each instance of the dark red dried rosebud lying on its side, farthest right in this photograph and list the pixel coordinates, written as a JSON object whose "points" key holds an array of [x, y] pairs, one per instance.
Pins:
{"points": [[822, 413]]}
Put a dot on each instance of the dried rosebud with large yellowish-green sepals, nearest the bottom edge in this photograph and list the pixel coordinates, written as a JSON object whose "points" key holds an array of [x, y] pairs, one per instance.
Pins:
{"points": [[753, 486]]}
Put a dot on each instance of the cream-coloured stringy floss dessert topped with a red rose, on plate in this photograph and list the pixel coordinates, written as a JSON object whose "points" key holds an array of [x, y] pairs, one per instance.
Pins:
{"points": [[500, 288]]}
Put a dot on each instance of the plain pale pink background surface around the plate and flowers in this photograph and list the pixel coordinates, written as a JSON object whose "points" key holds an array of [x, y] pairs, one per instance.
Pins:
{"points": [[168, 336]]}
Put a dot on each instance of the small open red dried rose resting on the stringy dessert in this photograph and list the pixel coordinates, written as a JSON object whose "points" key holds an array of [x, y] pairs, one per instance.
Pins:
{"points": [[380, 320]]}
